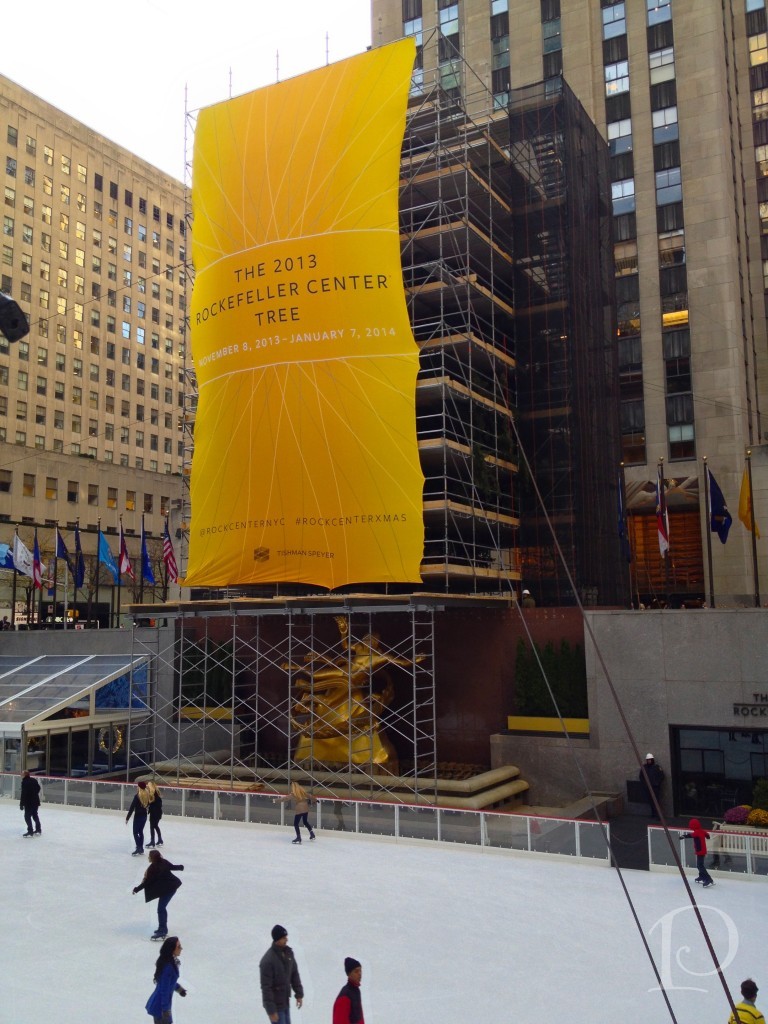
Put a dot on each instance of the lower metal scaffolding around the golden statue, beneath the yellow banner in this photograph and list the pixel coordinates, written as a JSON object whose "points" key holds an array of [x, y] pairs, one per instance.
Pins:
{"points": [[339, 694]]}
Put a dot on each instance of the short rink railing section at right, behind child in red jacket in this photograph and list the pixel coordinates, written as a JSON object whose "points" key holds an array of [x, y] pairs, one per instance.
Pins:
{"points": [[729, 854]]}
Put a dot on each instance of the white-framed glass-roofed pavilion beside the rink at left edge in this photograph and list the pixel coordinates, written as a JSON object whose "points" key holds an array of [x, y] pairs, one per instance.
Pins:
{"points": [[69, 714]]}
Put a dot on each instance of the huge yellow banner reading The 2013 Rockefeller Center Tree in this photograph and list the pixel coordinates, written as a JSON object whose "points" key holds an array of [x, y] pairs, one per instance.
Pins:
{"points": [[306, 465]]}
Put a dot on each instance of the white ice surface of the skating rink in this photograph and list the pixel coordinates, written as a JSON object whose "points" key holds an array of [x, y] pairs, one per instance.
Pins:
{"points": [[446, 935]]}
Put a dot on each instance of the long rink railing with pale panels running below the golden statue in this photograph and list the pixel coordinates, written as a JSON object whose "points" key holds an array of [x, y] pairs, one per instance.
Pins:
{"points": [[491, 831]]}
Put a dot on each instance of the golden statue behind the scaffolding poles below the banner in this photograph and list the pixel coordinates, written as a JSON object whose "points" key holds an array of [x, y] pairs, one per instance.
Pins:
{"points": [[338, 716]]}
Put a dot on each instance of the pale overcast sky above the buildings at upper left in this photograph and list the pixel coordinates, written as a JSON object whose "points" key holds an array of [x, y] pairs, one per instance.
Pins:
{"points": [[131, 72]]}
